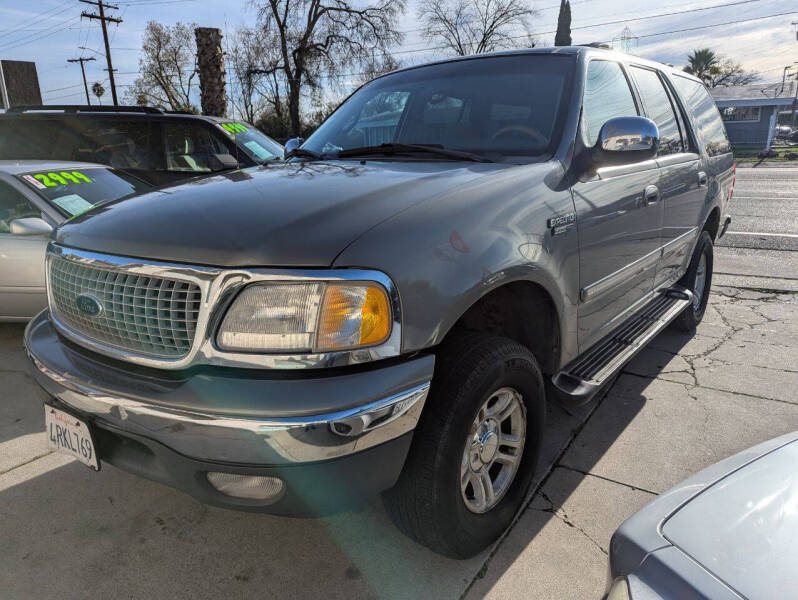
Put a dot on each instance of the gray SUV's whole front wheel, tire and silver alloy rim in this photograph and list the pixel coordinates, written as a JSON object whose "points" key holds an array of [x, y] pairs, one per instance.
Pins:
{"points": [[475, 450]]}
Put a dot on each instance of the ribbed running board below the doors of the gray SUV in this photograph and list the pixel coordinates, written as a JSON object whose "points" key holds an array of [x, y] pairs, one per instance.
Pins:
{"points": [[583, 377]]}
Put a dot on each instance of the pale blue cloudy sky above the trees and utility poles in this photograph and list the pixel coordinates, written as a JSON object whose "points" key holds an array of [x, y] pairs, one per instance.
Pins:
{"points": [[50, 31]]}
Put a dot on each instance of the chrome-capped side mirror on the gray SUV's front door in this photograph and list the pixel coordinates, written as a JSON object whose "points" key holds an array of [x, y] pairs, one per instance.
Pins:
{"points": [[625, 140]]}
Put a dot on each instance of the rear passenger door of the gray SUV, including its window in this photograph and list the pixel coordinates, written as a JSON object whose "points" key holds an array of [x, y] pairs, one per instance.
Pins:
{"points": [[682, 182]]}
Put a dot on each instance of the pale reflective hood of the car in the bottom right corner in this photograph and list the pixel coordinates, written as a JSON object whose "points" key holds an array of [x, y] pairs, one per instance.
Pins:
{"points": [[744, 528]]}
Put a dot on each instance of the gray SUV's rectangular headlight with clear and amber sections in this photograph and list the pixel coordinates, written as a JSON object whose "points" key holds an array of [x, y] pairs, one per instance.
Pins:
{"points": [[306, 317]]}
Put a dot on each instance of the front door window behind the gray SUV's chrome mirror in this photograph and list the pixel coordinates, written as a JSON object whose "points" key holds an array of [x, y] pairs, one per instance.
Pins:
{"points": [[607, 95]]}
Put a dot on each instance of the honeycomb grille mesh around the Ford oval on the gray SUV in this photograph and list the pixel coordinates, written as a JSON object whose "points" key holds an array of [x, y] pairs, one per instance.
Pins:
{"points": [[152, 316]]}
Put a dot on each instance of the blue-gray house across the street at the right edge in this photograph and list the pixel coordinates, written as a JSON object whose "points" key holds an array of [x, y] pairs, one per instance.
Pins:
{"points": [[747, 110]]}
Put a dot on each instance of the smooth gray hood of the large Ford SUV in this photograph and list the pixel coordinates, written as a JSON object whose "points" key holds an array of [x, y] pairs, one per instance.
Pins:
{"points": [[299, 214]]}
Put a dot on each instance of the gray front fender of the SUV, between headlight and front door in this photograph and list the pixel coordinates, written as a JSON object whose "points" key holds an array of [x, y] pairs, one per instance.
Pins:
{"points": [[445, 253]]}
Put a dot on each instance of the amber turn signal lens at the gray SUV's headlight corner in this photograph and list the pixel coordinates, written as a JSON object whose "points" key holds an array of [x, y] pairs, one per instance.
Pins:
{"points": [[352, 316]]}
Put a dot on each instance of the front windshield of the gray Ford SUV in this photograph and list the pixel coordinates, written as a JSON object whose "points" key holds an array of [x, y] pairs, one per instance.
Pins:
{"points": [[498, 107]]}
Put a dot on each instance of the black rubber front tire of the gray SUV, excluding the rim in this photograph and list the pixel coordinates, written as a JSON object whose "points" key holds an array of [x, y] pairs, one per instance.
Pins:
{"points": [[427, 503]]}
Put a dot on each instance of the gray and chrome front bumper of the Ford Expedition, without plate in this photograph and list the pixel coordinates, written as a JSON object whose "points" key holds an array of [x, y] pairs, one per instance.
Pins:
{"points": [[329, 437]]}
